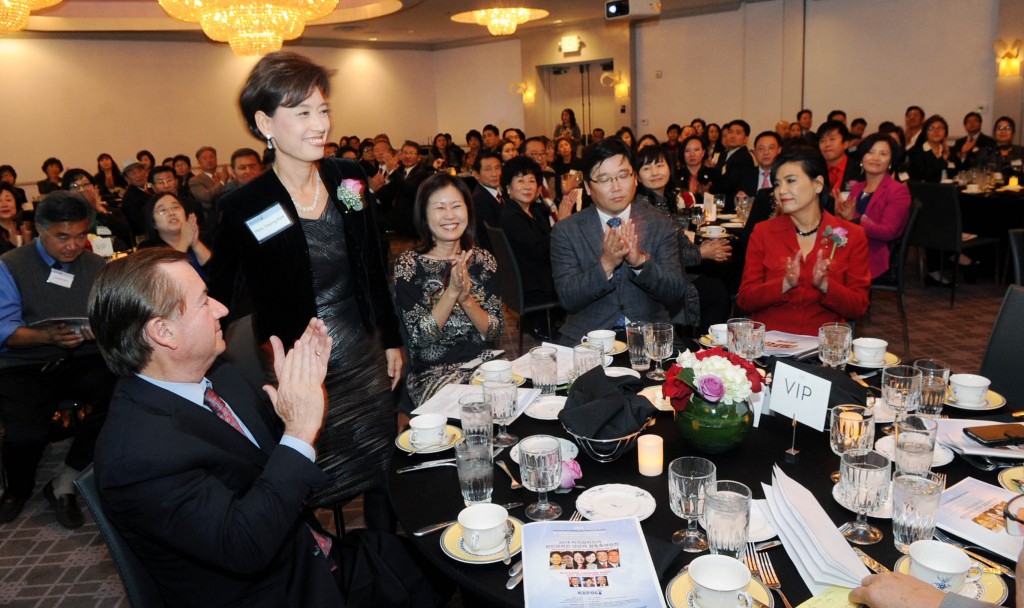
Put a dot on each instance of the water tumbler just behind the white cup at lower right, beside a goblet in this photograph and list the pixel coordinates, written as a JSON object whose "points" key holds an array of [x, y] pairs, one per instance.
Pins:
{"points": [[916, 506]]}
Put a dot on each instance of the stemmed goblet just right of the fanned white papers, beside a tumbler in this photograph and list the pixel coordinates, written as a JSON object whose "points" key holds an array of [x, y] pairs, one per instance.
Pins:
{"points": [[865, 487]]}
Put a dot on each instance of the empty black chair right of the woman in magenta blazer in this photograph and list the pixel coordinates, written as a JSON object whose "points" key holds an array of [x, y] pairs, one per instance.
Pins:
{"points": [[941, 228]]}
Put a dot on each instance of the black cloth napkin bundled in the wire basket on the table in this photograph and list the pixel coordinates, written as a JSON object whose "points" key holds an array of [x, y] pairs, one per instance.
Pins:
{"points": [[603, 408]]}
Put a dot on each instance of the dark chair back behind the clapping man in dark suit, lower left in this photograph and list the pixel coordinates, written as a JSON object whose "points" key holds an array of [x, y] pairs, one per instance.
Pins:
{"points": [[140, 586]]}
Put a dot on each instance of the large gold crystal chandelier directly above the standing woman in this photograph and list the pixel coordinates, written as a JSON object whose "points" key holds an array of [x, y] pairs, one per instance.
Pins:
{"points": [[250, 27]]}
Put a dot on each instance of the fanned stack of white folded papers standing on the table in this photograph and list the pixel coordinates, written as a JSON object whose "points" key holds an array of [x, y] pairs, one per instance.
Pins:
{"points": [[822, 555]]}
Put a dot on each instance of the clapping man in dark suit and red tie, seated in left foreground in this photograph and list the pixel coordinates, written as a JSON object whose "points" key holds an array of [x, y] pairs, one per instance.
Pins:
{"points": [[193, 469]]}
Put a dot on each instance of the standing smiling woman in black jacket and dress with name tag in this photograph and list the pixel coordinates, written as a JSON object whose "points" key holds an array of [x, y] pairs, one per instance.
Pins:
{"points": [[304, 240]]}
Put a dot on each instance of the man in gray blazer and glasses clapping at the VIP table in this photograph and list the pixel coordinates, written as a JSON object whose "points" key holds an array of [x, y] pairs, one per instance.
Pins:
{"points": [[617, 260]]}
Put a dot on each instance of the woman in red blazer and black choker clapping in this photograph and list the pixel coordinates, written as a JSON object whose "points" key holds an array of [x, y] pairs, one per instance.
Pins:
{"points": [[805, 268]]}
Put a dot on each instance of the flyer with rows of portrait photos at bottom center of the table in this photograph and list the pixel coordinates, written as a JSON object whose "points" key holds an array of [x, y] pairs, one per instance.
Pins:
{"points": [[589, 563]]}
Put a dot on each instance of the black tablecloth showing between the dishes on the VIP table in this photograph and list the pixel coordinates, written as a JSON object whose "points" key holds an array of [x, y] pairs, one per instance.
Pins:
{"points": [[431, 496]]}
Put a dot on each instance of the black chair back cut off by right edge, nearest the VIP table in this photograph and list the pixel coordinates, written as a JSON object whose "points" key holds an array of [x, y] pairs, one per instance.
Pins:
{"points": [[1002, 364]]}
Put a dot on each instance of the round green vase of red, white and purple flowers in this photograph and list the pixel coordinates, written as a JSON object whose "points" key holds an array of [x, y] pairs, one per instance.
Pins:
{"points": [[709, 393]]}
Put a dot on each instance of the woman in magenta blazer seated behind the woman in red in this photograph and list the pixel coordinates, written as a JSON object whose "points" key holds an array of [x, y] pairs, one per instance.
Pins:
{"points": [[880, 204]]}
